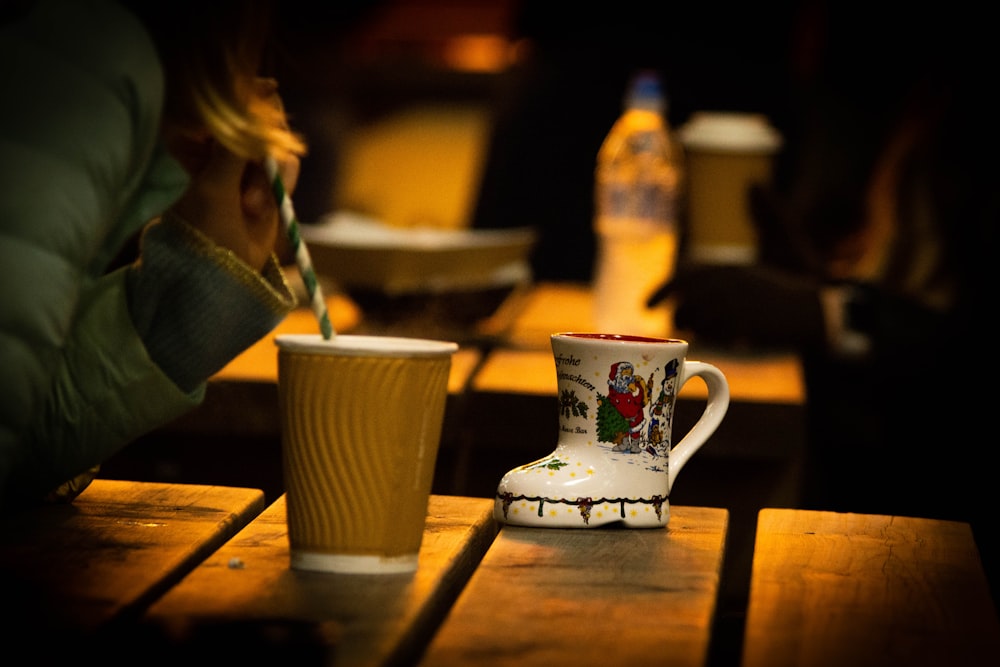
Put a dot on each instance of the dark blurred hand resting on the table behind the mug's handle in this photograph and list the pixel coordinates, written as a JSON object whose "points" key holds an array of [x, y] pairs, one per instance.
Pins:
{"points": [[745, 305]]}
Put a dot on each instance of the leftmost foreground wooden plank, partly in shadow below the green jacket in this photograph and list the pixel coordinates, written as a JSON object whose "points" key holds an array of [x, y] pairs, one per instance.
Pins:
{"points": [[77, 567]]}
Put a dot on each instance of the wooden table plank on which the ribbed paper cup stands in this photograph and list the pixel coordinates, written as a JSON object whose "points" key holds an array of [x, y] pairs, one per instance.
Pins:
{"points": [[350, 619]]}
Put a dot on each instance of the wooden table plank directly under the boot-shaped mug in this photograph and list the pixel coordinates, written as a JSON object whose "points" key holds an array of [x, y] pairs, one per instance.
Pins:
{"points": [[590, 597]]}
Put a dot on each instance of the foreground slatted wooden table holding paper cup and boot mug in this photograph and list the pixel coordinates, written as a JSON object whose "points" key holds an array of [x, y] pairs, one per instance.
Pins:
{"points": [[137, 572]]}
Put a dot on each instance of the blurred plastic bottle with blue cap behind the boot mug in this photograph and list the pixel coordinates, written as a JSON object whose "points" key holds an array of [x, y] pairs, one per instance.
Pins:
{"points": [[637, 184]]}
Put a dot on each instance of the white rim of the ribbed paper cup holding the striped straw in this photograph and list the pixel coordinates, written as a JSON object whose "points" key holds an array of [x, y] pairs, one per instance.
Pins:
{"points": [[362, 346]]}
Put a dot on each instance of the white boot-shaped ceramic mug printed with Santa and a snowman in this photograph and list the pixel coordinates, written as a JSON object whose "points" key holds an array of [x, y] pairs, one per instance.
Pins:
{"points": [[614, 461]]}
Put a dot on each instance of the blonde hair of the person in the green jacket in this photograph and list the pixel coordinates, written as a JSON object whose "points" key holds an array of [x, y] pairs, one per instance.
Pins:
{"points": [[212, 53]]}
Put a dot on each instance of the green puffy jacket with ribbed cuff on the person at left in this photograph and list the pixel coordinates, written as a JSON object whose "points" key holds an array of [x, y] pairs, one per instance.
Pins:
{"points": [[90, 359]]}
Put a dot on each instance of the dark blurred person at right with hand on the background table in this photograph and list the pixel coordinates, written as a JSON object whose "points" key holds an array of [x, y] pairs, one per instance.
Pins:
{"points": [[876, 246]]}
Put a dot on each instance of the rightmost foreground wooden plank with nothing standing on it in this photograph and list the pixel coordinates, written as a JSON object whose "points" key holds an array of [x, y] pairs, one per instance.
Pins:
{"points": [[855, 589]]}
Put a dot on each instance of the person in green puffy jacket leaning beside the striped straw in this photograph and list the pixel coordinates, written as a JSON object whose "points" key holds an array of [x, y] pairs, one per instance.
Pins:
{"points": [[120, 119]]}
